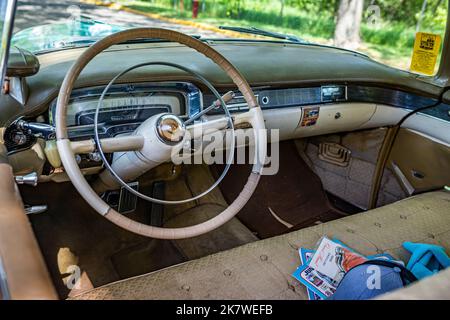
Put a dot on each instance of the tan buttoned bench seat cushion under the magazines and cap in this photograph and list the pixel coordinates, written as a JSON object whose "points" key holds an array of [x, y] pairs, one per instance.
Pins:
{"points": [[262, 269]]}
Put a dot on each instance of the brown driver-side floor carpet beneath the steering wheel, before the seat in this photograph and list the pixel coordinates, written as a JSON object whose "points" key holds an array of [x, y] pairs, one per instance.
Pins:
{"points": [[72, 233]]}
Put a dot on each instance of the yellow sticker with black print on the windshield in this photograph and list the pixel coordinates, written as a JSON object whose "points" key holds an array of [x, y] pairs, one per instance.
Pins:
{"points": [[426, 51]]}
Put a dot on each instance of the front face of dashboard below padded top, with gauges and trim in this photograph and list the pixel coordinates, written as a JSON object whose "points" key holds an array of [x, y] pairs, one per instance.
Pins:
{"points": [[296, 112]]}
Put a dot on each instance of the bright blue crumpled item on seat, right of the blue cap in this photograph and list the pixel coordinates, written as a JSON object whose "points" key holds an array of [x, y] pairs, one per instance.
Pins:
{"points": [[426, 259]]}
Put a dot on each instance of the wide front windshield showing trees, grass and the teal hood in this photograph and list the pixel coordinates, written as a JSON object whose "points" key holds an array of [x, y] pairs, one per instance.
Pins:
{"points": [[385, 30]]}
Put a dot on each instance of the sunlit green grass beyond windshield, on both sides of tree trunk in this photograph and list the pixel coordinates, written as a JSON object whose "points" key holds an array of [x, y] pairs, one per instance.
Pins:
{"points": [[390, 44]]}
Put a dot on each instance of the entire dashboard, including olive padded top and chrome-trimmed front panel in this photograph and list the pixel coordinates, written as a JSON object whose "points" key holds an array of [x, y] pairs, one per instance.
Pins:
{"points": [[326, 91]]}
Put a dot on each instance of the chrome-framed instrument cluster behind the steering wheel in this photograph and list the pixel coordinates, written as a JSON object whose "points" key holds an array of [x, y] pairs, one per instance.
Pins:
{"points": [[126, 106]]}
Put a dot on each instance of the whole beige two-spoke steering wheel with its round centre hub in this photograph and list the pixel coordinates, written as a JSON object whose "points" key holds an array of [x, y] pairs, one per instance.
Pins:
{"points": [[152, 142]]}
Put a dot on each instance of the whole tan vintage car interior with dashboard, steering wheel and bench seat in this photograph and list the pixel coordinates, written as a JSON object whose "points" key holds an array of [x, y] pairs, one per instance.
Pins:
{"points": [[360, 152]]}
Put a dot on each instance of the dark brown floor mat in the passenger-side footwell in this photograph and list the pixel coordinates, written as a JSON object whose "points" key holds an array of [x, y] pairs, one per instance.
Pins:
{"points": [[293, 197]]}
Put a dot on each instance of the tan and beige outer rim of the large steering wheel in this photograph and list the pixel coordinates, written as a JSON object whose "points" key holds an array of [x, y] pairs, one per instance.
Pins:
{"points": [[76, 176]]}
